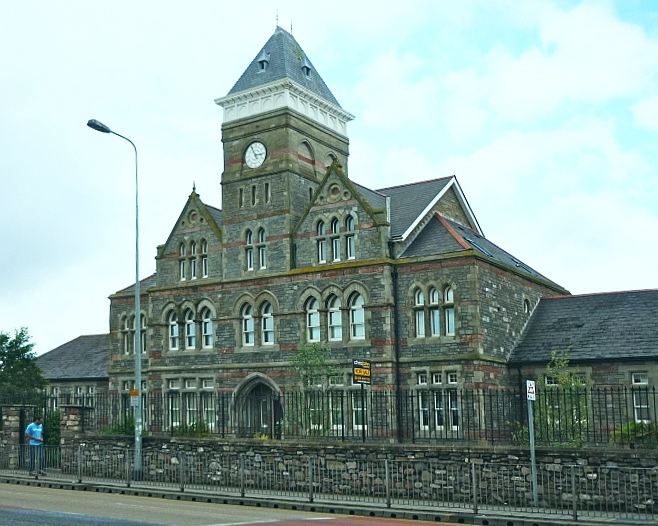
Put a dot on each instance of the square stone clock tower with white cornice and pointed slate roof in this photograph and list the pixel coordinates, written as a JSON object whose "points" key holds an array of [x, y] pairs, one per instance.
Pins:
{"points": [[282, 129]]}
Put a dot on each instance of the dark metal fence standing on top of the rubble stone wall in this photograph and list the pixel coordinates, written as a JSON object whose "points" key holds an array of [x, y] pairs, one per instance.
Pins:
{"points": [[571, 417]]}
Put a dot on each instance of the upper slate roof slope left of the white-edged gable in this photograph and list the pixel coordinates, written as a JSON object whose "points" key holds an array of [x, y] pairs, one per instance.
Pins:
{"points": [[408, 201]]}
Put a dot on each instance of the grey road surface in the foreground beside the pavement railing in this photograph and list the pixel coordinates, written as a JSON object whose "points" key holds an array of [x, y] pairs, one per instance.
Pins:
{"points": [[29, 505]]}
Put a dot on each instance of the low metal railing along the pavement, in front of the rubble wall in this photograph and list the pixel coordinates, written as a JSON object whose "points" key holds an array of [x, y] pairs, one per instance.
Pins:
{"points": [[573, 491]]}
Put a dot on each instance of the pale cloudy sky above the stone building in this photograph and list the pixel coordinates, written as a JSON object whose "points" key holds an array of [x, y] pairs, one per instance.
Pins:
{"points": [[546, 111]]}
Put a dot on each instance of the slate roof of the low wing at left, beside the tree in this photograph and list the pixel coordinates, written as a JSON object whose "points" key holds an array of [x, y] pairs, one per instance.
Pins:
{"points": [[84, 357]]}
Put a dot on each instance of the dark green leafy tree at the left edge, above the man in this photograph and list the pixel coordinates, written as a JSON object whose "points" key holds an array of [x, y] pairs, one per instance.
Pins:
{"points": [[19, 373]]}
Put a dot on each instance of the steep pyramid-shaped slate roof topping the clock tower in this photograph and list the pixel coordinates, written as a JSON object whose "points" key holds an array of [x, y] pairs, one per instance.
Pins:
{"points": [[286, 59]]}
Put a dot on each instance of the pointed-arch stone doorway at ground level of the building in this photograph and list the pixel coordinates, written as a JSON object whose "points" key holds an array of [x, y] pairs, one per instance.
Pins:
{"points": [[259, 411]]}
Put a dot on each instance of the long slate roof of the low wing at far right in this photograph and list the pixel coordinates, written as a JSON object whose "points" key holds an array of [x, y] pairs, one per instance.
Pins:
{"points": [[607, 326]]}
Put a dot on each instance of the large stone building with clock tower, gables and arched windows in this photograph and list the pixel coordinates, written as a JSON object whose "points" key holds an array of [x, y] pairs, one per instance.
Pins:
{"points": [[299, 254]]}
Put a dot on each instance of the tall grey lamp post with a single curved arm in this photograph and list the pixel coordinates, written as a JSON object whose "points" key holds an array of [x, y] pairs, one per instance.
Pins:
{"points": [[99, 126]]}
